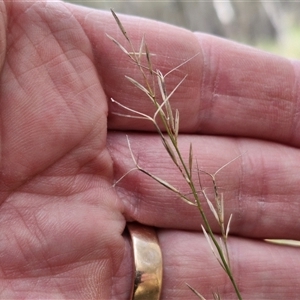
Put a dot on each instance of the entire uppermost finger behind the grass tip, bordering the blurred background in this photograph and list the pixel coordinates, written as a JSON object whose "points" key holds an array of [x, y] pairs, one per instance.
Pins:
{"points": [[231, 89]]}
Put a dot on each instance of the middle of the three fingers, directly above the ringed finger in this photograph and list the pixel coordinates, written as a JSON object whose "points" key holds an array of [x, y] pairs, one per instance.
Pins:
{"points": [[260, 188]]}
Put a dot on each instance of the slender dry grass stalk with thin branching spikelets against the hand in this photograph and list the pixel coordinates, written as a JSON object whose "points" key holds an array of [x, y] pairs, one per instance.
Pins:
{"points": [[169, 138]]}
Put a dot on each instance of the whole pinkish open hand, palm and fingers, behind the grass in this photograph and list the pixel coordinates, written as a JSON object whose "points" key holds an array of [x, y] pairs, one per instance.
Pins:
{"points": [[62, 149]]}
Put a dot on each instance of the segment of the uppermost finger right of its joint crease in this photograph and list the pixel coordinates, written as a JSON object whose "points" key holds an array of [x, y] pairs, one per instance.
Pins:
{"points": [[247, 92]]}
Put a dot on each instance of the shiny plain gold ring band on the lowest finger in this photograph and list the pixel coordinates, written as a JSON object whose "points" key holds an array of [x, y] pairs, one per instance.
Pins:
{"points": [[147, 263]]}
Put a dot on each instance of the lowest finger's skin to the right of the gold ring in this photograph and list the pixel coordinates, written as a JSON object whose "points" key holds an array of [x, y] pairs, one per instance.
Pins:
{"points": [[261, 270]]}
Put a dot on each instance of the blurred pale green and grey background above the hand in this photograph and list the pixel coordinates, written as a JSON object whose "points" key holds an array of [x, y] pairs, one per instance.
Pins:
{"points": [[270, 25]]}
